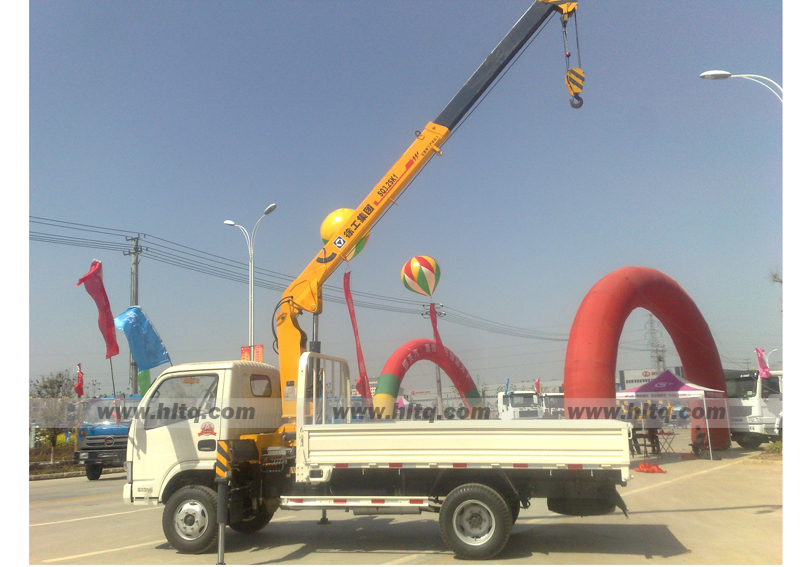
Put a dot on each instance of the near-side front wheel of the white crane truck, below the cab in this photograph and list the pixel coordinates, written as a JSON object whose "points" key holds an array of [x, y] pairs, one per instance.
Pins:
{"points": [[189, 520]]}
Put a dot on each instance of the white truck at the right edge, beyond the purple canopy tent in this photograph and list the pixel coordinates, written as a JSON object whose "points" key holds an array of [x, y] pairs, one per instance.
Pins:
{"points": [[755, 405]]}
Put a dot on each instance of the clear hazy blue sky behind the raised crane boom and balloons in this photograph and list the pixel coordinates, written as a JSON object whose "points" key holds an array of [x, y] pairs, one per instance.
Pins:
{"points": [[165, 119]]}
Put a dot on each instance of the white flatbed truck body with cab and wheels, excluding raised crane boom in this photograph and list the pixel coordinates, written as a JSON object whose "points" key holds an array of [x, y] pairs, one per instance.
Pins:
{"points": [[476, 474]]}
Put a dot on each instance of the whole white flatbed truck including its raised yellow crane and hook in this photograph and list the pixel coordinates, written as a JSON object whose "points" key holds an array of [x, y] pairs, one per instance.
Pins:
{"points": [[271, 440]]}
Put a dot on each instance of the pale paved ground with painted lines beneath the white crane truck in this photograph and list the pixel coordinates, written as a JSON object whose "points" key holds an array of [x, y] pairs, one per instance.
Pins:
{"points": [[699, 512]]}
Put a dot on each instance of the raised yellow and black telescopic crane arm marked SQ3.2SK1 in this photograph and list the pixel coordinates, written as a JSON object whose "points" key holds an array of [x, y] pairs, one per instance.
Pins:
{"points": [[305, 293]]}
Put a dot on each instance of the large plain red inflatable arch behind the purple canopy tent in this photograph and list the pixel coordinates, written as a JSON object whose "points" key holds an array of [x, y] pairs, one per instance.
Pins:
{"points": [[591, 359]]}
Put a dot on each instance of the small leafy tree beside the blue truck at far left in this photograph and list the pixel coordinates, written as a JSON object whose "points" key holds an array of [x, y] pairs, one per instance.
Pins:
{"points": [[52, 405]]}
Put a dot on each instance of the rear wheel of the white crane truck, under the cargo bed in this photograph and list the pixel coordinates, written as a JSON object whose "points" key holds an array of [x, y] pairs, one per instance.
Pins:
{"points": [[475, 522]]}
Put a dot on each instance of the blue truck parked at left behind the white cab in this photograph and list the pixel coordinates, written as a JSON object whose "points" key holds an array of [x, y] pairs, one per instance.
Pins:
{"points": [[103, 433]]}
